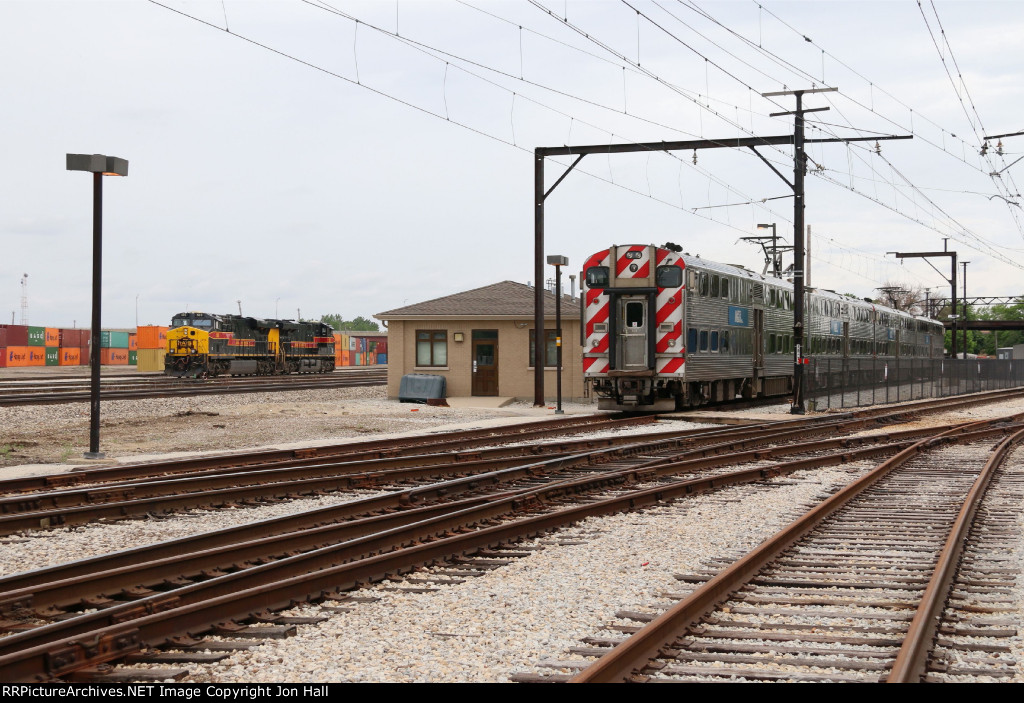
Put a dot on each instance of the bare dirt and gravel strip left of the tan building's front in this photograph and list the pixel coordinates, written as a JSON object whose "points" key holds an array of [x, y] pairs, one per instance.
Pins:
{"points": [[60, 434]]}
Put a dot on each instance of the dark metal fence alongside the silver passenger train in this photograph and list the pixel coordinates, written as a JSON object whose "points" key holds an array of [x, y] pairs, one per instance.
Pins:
{"points": [[838, 383]]}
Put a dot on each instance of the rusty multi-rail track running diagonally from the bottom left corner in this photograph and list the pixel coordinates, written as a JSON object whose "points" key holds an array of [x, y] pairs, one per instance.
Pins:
{"points": [[147, 601]]}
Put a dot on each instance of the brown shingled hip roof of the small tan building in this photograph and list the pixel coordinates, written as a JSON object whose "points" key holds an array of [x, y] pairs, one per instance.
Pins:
{"points": [[507, 299]]}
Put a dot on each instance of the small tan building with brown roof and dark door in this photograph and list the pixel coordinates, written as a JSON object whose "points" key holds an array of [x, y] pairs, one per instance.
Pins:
{"points": [[492, 327]]}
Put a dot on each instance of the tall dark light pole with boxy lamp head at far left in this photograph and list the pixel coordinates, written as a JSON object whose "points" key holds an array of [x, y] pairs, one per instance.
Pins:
{"points": [[99, 166]]}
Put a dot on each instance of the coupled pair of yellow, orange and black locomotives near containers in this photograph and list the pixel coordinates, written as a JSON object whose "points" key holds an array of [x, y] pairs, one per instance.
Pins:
{"points": [[200, 344]]}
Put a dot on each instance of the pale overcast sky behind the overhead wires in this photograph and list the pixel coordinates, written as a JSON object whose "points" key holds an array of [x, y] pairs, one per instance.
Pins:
{"points": [[287, 157]]}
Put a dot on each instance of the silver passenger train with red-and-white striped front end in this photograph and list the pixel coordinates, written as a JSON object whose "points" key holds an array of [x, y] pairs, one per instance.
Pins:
{"points": [[665, 331]]}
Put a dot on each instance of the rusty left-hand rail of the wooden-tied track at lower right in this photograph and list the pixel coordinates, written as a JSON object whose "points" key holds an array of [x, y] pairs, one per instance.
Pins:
{"points": [[632, 655]]}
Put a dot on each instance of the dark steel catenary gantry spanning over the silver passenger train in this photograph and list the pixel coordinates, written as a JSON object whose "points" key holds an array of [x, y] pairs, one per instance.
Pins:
{"points": [[800, 161]]}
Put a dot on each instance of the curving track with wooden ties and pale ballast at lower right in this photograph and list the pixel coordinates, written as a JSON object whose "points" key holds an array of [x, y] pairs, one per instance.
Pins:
{"points": [[851, 592]]}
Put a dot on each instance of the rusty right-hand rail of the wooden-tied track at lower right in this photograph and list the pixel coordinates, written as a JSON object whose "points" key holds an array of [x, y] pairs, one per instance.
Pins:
{"points": [[912, 661]]}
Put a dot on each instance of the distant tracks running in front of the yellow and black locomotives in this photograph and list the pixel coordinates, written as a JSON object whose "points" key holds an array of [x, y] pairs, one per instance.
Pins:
{"points": [[121, 388]]}
